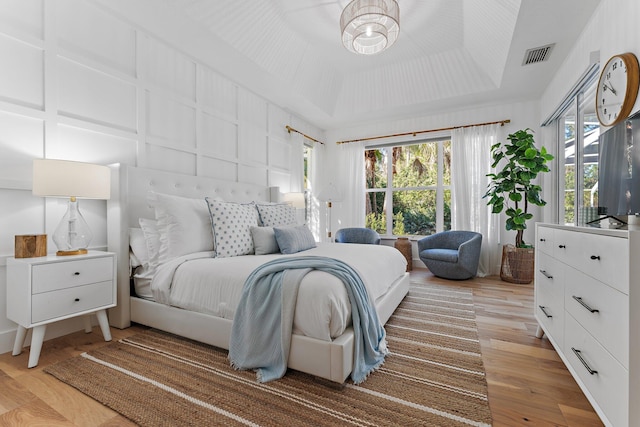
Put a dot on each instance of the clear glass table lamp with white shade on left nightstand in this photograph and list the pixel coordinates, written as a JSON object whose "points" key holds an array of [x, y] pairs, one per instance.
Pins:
{"points": [[73, 180]]}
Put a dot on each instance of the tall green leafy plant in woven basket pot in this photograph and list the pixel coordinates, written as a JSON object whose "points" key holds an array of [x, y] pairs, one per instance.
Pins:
{"points": [[512, 190]]}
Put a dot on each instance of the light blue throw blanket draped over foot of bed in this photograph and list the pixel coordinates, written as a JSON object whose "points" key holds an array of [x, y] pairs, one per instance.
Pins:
{"points": [[261, 332]]}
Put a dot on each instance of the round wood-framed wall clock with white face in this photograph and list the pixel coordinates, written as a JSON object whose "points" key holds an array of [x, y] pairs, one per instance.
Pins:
{"points": [[617, 88]]}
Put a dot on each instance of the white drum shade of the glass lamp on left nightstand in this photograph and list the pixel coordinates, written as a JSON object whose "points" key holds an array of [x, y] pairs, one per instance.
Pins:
{"points": [[64, 178]]}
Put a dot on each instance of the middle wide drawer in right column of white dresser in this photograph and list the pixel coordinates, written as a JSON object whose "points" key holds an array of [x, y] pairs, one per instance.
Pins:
{"points": [[601, 310]]}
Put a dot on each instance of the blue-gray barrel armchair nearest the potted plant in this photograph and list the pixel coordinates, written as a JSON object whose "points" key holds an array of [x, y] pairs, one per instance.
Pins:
{"points": [[451, 254]]}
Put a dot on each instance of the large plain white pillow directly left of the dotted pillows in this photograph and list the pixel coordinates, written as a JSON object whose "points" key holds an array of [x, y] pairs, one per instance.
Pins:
{"points": [[183, 223]]}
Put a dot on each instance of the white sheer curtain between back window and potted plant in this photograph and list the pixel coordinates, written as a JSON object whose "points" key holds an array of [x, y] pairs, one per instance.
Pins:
{"points": [[470, 164]]}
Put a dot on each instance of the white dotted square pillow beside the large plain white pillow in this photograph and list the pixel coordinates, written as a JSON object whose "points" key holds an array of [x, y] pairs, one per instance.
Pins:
{"points": [[231, 224]]}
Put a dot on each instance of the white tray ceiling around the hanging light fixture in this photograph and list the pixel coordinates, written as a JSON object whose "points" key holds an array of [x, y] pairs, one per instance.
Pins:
{"points": [[450, 54]]}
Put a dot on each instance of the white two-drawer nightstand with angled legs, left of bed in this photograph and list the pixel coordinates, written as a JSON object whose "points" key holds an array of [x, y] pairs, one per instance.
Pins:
{"points": [[48, 289]]}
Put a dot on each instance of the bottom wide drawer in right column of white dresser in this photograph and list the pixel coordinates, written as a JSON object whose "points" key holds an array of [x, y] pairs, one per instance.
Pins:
{"points": [[610, 385]]}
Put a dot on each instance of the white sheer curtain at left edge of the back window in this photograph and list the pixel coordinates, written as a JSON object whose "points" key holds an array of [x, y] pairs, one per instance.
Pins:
{"points": [[351, 171]]}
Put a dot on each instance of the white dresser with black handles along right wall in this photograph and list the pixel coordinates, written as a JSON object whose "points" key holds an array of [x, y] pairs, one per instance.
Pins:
{"points": [[587, 300]]}
